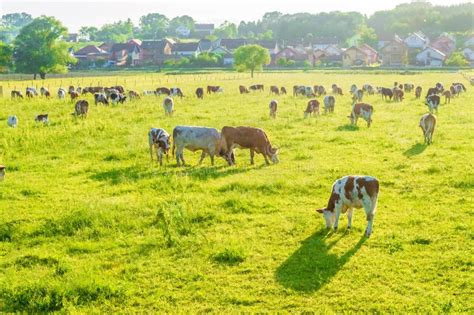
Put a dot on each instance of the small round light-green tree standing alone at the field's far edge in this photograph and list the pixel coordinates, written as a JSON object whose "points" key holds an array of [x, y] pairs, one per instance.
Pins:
{"points": [[251, 57]]}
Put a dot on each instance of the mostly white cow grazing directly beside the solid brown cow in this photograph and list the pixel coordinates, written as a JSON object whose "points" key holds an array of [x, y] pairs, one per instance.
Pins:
{"points": [[197, 138]]}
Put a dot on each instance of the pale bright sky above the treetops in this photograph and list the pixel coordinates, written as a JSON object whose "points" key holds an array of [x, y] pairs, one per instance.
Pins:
{"points": [[74, 14]]}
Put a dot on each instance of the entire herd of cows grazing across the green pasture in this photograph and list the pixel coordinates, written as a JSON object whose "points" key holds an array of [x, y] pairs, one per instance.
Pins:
{"points": [[347, 193]]}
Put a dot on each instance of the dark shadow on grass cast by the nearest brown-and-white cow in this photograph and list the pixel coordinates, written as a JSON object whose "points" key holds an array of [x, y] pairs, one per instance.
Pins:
{"points": [[312, 266]]}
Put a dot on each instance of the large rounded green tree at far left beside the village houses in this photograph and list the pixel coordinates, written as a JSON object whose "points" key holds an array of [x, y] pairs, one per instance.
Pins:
{"points": [[39, 50]]}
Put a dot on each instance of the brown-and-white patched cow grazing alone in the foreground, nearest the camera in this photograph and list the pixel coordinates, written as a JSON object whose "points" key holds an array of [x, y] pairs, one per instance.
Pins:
{"points": [[351, 192]]}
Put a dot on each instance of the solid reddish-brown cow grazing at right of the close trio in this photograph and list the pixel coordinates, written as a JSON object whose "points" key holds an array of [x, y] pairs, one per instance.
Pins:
{"points": [[254, 139]]}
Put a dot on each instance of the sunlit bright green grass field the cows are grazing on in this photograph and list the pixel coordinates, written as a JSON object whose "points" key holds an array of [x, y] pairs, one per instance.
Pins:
{"points": [[89, 224]]}
